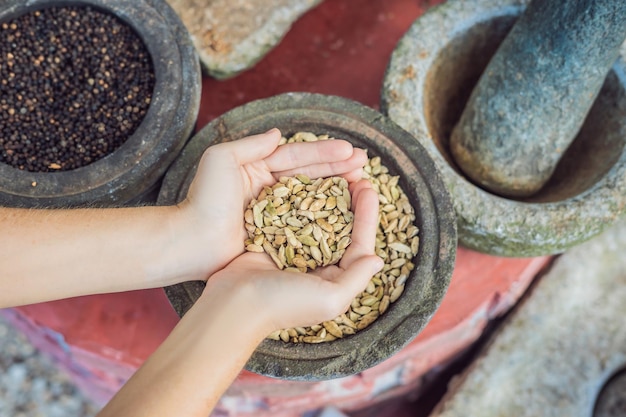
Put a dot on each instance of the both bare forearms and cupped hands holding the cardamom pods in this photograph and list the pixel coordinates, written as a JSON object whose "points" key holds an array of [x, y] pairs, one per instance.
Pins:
{"points": [[54, 254]]}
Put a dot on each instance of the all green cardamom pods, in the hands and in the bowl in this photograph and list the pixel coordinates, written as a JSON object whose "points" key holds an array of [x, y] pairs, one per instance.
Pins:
{"points": [[303, 223]]}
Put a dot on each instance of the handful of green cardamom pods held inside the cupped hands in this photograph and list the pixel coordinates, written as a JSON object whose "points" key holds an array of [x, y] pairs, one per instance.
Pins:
{"points": [[300, 223]]}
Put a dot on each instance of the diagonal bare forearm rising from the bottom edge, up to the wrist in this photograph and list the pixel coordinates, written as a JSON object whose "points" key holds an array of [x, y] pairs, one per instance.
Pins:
{"points": [[189, 372]]}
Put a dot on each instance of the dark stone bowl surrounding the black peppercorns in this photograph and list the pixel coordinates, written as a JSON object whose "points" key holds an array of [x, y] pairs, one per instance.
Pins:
{"points": [[133, 172]]}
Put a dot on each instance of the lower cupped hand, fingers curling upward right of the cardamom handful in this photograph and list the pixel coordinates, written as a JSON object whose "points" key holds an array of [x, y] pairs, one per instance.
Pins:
{"points": [[284, 299]]}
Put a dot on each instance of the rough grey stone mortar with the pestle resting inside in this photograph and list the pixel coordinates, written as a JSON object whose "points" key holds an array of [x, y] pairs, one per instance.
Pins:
{"points": [[429, 79]]}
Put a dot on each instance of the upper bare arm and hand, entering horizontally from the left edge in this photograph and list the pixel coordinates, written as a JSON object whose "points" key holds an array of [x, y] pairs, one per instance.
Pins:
{"points": [[49, 254]]}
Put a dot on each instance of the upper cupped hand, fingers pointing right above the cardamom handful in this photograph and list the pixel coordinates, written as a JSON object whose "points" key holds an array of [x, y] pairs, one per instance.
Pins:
{"points": [[230, 174]]}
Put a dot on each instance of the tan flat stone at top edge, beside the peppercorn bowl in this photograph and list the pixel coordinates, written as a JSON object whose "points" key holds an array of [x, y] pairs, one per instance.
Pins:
{"points": [[233, 35]]}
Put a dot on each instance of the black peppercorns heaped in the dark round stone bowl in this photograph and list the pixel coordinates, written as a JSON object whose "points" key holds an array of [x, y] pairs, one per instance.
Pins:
{"points": [[75, 83]]}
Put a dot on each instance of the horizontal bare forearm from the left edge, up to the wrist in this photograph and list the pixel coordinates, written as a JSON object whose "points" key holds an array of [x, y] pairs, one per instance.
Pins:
{"points": [[53, 254]]}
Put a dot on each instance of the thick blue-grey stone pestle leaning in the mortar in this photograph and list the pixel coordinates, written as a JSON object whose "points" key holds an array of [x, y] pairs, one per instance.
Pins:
{"points": [[534, 95]]}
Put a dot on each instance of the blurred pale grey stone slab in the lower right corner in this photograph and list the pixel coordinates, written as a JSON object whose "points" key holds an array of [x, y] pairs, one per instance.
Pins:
{"points": [[558, 349]]}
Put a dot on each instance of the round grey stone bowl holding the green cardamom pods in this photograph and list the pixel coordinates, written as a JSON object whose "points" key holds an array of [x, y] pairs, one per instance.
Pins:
{"points": [[420, 180]]}
